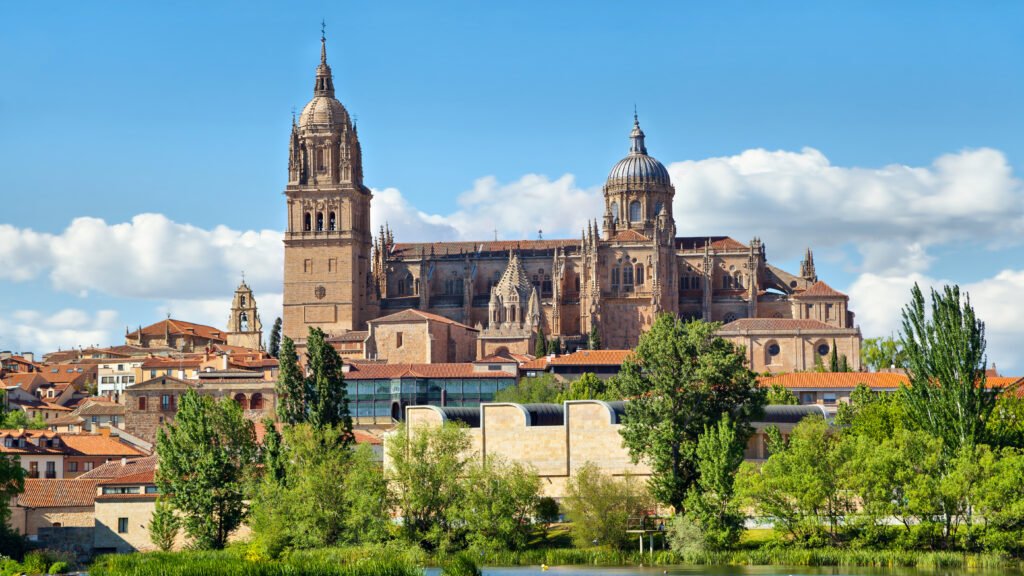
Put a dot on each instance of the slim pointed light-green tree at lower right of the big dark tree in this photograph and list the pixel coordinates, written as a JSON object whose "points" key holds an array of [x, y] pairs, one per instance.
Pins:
{"points": [[711, 503]]}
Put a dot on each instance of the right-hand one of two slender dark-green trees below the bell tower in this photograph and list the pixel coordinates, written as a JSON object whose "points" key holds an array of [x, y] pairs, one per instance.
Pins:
{"points": [[327, 399]]}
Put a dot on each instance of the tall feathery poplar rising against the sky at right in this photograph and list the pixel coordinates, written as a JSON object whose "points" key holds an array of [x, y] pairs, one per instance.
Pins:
{"points": [[946, 359]]}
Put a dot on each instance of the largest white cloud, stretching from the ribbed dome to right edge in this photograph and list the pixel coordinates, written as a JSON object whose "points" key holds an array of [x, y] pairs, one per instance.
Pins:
{"points": [[893, 215]]}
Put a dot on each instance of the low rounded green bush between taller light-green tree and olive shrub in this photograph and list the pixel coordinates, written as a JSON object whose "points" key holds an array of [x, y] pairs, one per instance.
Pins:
{"points": [[498, 506]]}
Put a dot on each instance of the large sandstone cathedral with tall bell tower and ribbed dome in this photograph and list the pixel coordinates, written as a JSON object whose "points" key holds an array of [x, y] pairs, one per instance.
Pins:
{"points": [[627, 266]]}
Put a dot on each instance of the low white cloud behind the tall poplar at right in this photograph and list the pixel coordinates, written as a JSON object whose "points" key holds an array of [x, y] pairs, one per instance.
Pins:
{"points": [[879, 300]]}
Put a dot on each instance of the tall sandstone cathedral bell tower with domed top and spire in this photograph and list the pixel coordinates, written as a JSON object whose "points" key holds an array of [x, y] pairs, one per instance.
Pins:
{"points": [[328, 238]]}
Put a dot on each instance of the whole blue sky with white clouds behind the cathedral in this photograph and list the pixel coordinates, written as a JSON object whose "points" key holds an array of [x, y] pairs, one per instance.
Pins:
{"points": [[889, 138]]}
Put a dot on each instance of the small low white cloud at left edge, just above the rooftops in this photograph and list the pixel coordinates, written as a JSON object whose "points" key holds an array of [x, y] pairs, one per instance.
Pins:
{"points": [[31, 331]]}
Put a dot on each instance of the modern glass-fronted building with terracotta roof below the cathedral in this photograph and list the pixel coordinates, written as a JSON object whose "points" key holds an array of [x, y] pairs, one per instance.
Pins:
{"points": [[380, 393]]}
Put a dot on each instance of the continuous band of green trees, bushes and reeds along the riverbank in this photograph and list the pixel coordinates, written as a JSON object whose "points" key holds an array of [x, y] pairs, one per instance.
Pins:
{"points": [[927, 477]]}
